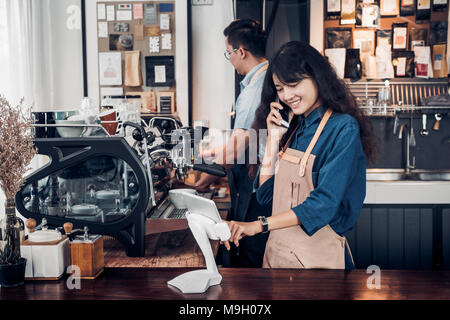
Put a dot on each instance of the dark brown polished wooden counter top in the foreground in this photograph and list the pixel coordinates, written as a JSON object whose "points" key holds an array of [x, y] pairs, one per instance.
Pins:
{"points": [[244, 284]]}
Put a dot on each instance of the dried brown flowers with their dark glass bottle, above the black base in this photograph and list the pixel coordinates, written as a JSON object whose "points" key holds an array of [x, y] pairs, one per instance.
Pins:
{"points": [[16, 152]]}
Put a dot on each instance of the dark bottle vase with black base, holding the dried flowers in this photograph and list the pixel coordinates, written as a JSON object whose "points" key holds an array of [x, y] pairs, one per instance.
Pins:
{"points": [[12, 265]]}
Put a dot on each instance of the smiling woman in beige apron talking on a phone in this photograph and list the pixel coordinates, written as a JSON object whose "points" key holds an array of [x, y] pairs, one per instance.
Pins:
{"points": [[314, 171]]}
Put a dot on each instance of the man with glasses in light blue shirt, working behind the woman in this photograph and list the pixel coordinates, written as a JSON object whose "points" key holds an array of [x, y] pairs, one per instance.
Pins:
{"points": [[245, 43]]}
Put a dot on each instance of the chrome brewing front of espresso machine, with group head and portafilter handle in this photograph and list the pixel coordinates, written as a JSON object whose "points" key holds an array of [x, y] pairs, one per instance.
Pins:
{"points": [[172, 152]]}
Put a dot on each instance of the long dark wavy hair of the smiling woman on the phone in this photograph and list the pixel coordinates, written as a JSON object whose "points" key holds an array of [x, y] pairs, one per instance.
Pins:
{"points": [[295, 61]]}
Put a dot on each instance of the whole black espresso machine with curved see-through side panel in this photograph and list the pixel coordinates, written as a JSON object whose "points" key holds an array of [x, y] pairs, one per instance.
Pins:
{"points": [[113, 184]]}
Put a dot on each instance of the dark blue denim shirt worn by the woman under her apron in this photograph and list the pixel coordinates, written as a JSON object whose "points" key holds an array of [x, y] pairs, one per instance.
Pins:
{"points": [[339, 173]]}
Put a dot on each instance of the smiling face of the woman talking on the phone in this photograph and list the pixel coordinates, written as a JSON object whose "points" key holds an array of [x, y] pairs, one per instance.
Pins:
{"points": [[302, 97]]}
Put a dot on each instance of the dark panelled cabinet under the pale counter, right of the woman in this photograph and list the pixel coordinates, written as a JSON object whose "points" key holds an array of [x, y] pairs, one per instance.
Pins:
{"points": [[402, 237]]}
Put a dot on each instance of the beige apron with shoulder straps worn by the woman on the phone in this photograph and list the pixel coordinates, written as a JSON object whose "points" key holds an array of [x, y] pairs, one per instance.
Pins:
{"points": [[292, 247]]}
